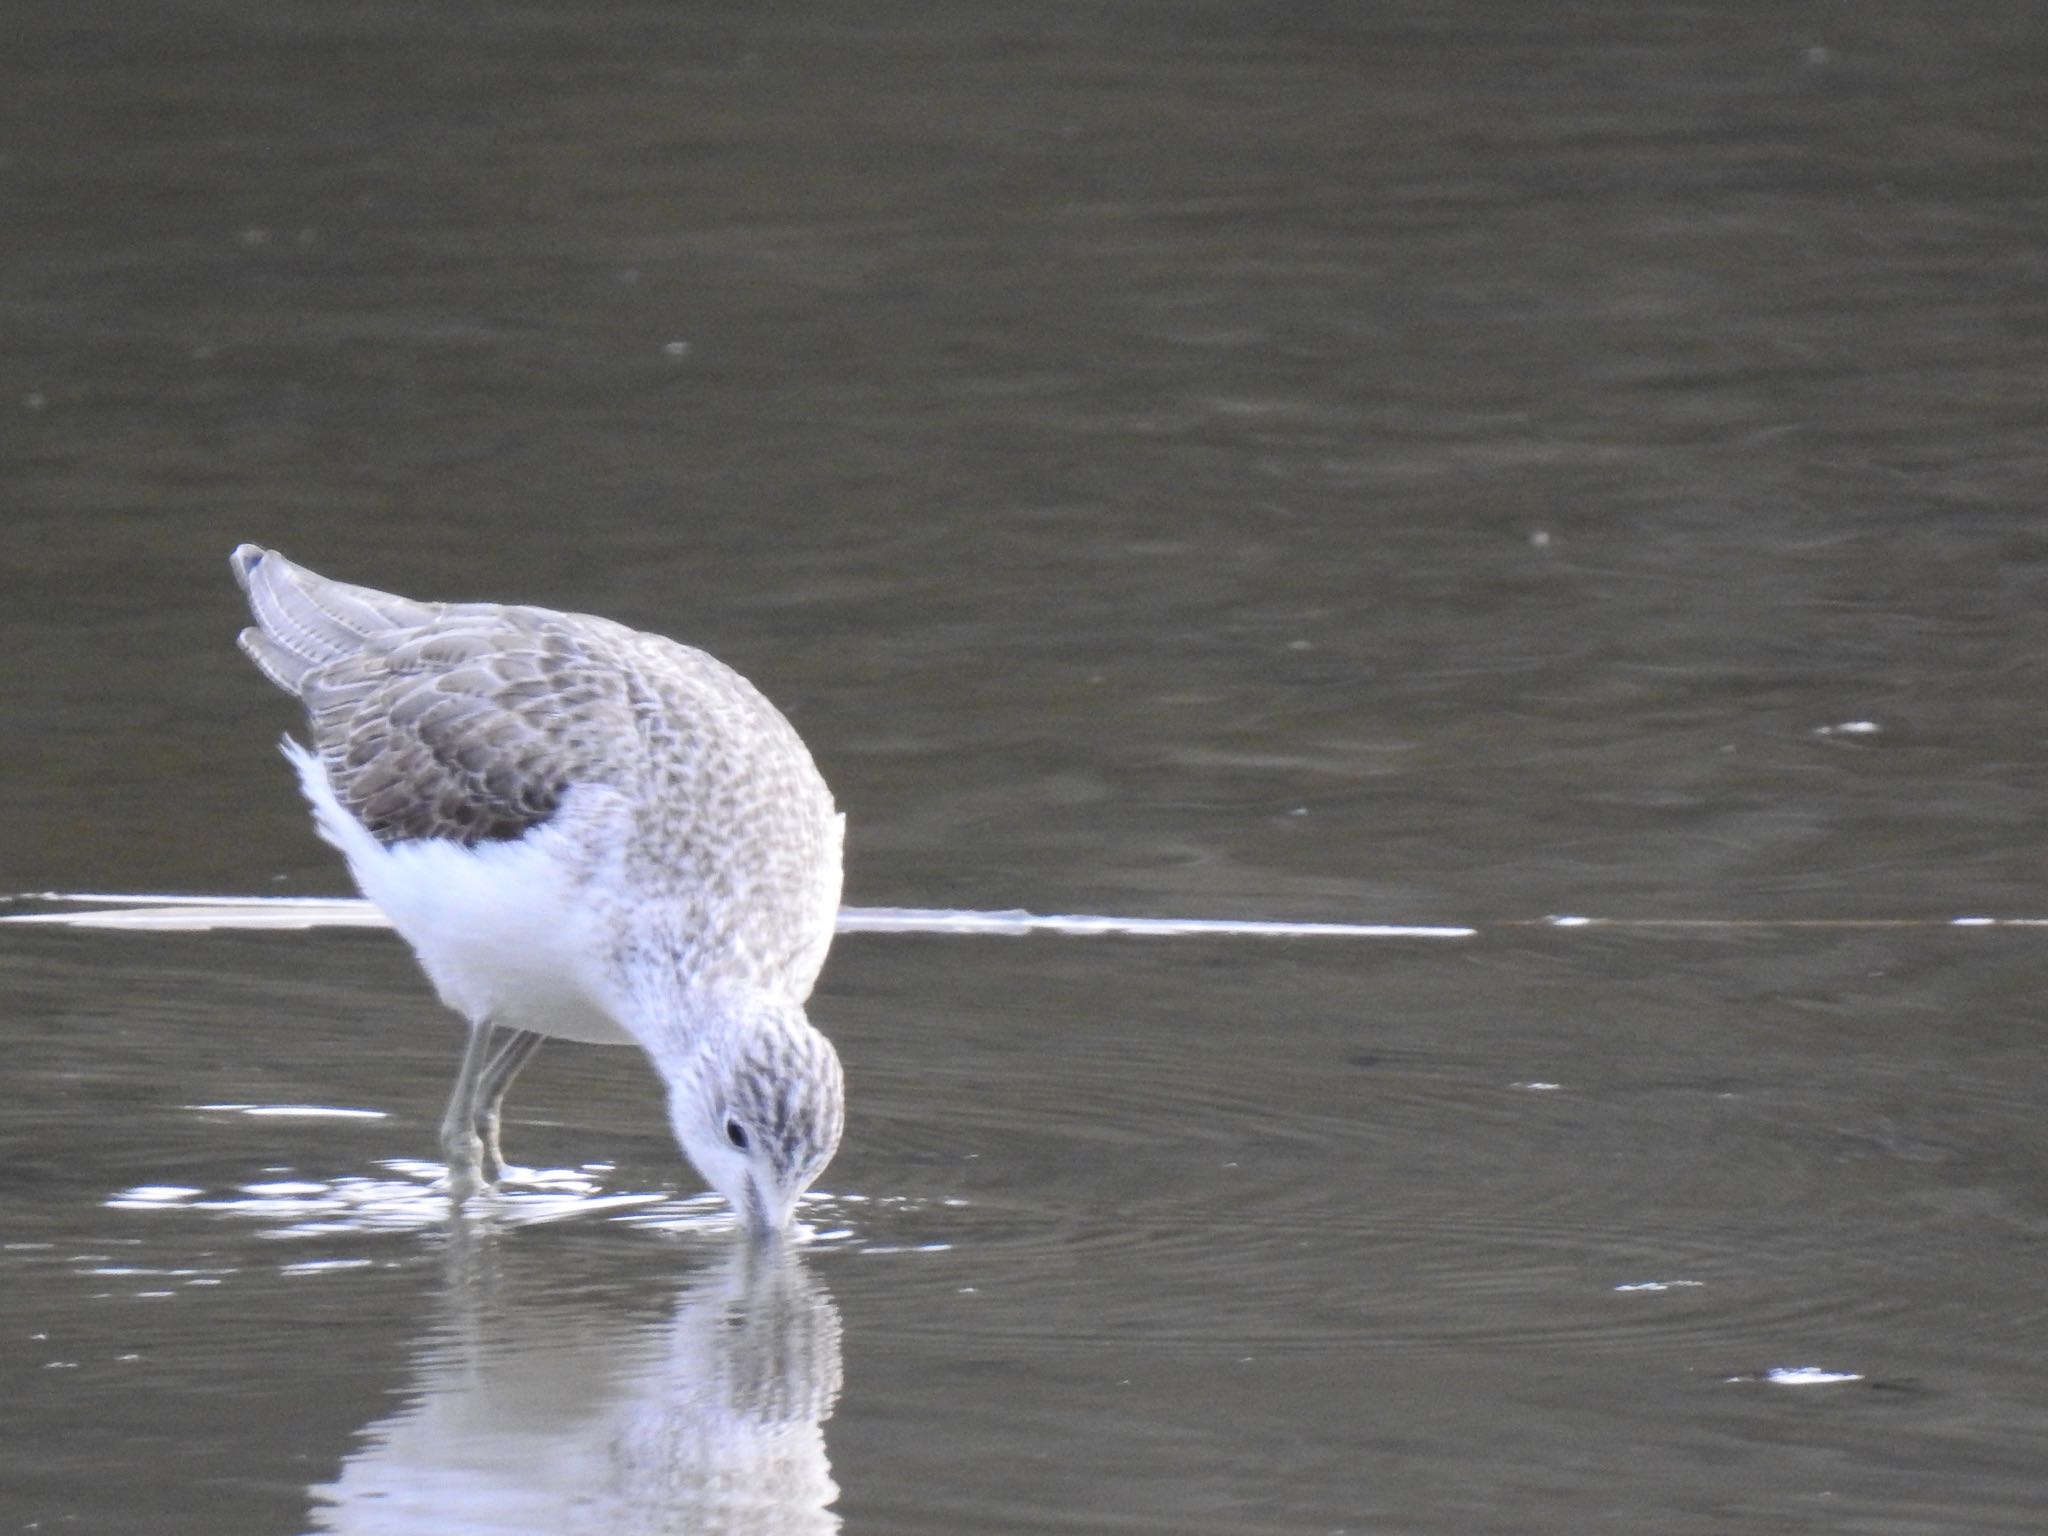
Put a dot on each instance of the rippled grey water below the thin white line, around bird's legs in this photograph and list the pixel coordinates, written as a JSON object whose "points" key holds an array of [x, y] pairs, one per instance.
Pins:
{"points": [[1691, 1232]]}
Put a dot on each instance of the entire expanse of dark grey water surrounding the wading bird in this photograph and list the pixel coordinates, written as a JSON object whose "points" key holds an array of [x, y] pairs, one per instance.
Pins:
{"points": [[1414, 464]]}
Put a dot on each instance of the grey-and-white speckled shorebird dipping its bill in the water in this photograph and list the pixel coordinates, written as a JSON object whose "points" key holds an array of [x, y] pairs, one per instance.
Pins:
{"points": [[585, 833]]}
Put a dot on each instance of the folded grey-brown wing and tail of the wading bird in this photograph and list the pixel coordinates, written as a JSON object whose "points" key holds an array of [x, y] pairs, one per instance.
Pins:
{"points": [[462, 722]]}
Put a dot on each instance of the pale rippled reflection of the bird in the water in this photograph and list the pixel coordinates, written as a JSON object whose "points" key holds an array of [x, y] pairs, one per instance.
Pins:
{"points": [[558, 1422]]}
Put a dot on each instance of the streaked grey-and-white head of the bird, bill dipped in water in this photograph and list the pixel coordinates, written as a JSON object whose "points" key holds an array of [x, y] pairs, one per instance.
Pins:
{"points": [[759, 1105]]}
